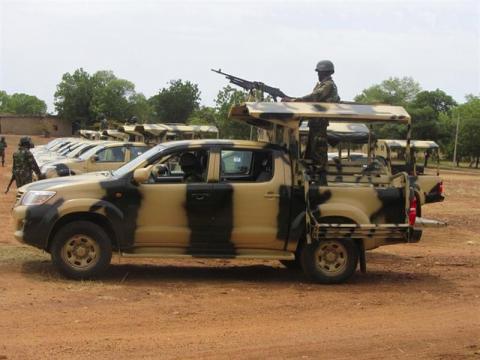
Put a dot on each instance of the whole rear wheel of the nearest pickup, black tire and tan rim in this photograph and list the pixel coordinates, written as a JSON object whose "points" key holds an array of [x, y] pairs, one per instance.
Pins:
{"points": [[337, 268]]}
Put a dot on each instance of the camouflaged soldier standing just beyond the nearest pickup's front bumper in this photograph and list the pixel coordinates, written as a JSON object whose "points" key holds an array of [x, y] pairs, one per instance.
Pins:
{"points": [[24, 163]]}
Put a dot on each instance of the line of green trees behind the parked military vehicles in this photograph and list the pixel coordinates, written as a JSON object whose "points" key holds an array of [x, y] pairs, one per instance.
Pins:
{"points": [[84, 98]]}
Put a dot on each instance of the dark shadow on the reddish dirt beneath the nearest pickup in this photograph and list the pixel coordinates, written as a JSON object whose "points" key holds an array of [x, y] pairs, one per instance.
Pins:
{"points": [[254, 274]]}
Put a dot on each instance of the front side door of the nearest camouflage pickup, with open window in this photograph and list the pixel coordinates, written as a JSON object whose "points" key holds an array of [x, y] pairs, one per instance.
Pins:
{"points": [[176, 211]]}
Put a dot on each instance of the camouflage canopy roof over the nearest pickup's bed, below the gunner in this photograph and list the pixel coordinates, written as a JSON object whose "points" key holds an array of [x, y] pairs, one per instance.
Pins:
{"points": [[264, 114]]}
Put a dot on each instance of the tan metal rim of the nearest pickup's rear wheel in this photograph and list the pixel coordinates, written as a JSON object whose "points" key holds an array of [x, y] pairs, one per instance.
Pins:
{"points": [[331, 258]]}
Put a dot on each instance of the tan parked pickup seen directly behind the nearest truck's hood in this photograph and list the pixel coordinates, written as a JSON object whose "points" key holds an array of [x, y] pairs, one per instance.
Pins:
{"points": [[105, 156]]}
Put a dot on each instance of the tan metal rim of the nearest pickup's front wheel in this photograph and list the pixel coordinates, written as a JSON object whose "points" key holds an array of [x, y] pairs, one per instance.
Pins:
{"points": [[80, 252]]}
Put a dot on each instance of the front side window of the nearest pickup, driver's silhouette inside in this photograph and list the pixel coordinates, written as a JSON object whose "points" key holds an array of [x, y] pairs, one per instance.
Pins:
{"points": [[186, 166]]}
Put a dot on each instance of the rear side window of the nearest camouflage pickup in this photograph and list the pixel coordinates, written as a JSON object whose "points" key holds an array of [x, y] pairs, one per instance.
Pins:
{"points": [[246, 166]]}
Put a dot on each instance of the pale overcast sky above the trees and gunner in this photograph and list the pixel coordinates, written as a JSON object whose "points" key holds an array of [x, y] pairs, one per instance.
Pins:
{"points": [[152, 42]]}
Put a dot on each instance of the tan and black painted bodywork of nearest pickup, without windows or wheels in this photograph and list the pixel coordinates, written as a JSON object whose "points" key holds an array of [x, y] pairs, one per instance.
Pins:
{"points": [[214, 218]]}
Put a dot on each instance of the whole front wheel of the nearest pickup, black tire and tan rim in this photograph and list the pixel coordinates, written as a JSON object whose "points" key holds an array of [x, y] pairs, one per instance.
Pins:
{"points": [[81, 250]]}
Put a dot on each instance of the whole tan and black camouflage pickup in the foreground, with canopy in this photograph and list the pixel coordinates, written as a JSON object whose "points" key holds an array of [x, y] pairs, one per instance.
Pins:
{"points": [[224, 199]]}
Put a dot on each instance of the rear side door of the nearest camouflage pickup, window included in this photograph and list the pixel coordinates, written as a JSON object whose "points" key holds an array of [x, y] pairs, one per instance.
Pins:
{"points": [[247, 199]]}
